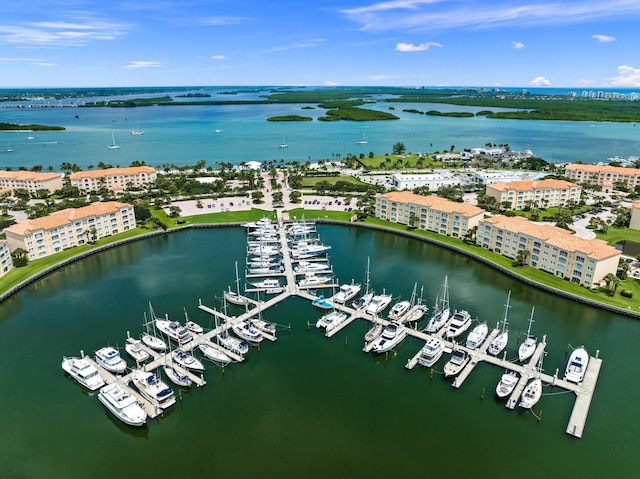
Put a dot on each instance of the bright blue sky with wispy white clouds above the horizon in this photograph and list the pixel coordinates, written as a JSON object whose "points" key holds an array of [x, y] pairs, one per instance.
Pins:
{"points": [[494, 43]]}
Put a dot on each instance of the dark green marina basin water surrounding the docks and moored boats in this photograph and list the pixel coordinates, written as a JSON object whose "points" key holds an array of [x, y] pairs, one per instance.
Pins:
{"points": [[304, 406]]}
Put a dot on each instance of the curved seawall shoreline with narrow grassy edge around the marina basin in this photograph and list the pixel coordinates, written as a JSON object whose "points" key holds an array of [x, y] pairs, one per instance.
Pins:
{"points": [[529, 282]]}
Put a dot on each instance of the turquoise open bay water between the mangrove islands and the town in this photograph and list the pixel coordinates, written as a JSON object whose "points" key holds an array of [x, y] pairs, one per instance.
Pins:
{"points": [[185, 135]]}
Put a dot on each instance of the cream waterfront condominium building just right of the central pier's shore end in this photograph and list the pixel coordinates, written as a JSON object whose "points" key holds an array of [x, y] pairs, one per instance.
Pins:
{"points": [[431, 213]]}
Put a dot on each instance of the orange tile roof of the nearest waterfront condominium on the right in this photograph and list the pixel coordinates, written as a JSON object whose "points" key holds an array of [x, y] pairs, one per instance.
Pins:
{"points": [[554, 236]]}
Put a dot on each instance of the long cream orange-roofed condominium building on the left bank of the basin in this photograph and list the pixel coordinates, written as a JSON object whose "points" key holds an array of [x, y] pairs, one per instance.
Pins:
{"points": [[70, 227]]}
